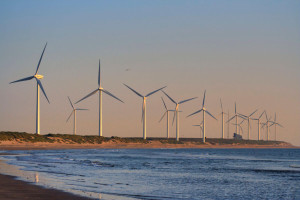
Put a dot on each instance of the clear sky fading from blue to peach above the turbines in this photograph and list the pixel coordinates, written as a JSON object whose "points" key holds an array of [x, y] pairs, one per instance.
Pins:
{"points": [[241, 51]]}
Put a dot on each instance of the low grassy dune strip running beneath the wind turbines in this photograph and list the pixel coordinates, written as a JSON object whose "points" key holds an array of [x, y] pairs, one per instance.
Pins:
{"points": [[78, 139]]}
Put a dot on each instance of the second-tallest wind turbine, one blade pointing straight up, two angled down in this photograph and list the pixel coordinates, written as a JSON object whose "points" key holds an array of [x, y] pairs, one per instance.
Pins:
{"points": [[100, 90]]}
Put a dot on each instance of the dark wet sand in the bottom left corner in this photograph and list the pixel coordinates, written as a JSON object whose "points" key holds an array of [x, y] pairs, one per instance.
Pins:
{"points": [[10, 188]]}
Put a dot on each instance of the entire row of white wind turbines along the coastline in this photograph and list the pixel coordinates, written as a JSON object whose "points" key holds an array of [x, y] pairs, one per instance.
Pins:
{"points": [[176, 111]]}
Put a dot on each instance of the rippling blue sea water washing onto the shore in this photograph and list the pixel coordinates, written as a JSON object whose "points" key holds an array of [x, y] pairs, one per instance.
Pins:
{"points": [[166, 174]]}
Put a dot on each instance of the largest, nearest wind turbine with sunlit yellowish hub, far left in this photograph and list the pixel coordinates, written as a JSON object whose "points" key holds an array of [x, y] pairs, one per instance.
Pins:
{"points": [[39, 85]]}
